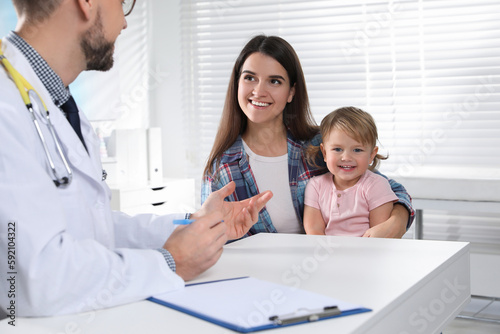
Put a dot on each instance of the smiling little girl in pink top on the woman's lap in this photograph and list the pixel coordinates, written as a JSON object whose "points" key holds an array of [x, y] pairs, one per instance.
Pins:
{"points": [[350, 198]]}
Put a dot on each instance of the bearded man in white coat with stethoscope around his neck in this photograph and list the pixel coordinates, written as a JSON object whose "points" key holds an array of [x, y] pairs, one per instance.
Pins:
{"points": [[67, 251]]}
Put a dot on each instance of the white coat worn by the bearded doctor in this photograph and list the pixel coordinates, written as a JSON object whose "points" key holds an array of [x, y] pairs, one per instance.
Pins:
{"points": [[72, 253]]}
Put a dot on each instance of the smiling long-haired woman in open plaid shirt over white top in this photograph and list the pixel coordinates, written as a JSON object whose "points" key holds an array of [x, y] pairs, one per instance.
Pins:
{"points": [[266, 126]]}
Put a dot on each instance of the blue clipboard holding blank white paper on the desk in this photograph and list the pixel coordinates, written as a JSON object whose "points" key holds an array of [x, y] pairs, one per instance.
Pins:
{"points": [[247, 304]]}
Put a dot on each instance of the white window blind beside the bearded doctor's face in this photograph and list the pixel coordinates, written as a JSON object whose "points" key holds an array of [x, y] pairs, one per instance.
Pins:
{"points": [[119, 98]]}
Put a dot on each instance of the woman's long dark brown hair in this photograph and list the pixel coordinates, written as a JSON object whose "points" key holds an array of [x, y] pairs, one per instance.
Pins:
{"points": [[297, 116]]}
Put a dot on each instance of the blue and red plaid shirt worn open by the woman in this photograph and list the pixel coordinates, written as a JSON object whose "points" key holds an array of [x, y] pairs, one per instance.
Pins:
{"points": [[235, 167]]}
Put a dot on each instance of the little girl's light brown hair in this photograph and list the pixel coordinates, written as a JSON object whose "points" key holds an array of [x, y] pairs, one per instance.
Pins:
{"points": [[354, 122]]}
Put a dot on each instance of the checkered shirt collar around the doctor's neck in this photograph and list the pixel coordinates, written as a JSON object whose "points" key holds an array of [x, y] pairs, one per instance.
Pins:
{"points": [[49, 78]]}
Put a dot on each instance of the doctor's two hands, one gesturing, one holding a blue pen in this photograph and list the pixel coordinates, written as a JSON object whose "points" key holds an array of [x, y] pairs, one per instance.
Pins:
{"points": [[198, 246]]}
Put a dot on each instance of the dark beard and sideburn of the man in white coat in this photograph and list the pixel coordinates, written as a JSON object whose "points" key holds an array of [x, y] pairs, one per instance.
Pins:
{"points": [[98, 51]]}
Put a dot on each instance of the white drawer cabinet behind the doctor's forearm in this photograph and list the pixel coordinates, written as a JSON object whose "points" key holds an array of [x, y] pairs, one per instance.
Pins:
{"points": [[169, 196]]}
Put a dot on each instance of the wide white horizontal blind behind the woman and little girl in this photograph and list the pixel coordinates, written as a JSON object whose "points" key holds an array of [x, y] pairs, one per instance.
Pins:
{"points": [[428, 71]]}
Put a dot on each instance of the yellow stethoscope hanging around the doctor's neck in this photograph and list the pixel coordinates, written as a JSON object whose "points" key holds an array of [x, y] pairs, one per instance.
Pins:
{"points": [[31, 98]]}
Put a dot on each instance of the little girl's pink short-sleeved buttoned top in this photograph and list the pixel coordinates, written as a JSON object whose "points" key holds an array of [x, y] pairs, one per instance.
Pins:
{"points": [[346, 212]]}
